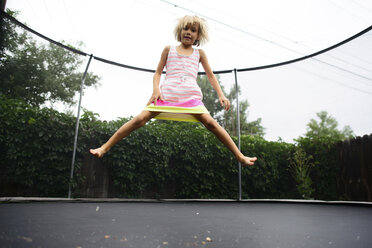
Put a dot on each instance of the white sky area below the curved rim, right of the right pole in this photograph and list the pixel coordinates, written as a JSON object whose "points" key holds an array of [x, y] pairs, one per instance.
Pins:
{"points": [[339, 82]]}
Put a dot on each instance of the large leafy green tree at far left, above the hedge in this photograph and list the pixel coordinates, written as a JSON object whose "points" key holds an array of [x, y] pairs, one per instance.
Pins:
{"points": [[38, 73]]}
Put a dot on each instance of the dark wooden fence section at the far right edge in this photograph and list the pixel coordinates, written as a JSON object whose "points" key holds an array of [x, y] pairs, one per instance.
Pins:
{"points": [[355, 161]]}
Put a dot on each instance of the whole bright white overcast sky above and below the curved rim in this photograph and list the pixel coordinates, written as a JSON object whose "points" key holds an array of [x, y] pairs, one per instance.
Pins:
{"points": [[243, 34]]}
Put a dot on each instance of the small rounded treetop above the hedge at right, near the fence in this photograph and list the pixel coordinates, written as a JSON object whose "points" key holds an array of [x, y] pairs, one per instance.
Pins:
{"points": [[327, 127]]}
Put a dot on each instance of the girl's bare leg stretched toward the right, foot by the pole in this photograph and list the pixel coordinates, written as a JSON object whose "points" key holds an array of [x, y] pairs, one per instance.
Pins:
{"points": [[213, 126]]}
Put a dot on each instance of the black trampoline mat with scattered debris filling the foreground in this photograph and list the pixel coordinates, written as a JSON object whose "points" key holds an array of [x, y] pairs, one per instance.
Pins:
{"points": [[180, 223]]}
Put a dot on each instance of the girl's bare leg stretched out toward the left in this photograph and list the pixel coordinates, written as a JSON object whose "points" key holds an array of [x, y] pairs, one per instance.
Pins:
{"points": [[128, 127]]}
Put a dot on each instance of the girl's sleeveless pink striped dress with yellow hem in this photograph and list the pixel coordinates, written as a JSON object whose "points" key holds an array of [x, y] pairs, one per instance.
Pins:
{"points": [[180, 91]]}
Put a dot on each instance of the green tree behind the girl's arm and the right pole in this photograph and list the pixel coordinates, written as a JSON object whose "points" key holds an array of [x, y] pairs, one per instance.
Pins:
{"points": [[227, 119]]}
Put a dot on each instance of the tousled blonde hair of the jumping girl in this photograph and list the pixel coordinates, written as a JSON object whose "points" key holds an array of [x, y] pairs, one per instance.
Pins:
{"points": [[203, 29]]}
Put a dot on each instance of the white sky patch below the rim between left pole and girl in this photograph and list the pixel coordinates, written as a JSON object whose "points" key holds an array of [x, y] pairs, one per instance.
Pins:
{"points": [[122, 92]]}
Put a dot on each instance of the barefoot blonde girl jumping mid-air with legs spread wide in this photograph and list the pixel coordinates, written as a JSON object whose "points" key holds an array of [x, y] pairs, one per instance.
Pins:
{"points": [[179, 96]]}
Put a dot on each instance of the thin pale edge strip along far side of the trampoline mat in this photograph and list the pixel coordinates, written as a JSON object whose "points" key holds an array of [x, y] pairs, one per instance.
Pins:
{"points": [[129, 200]]}
